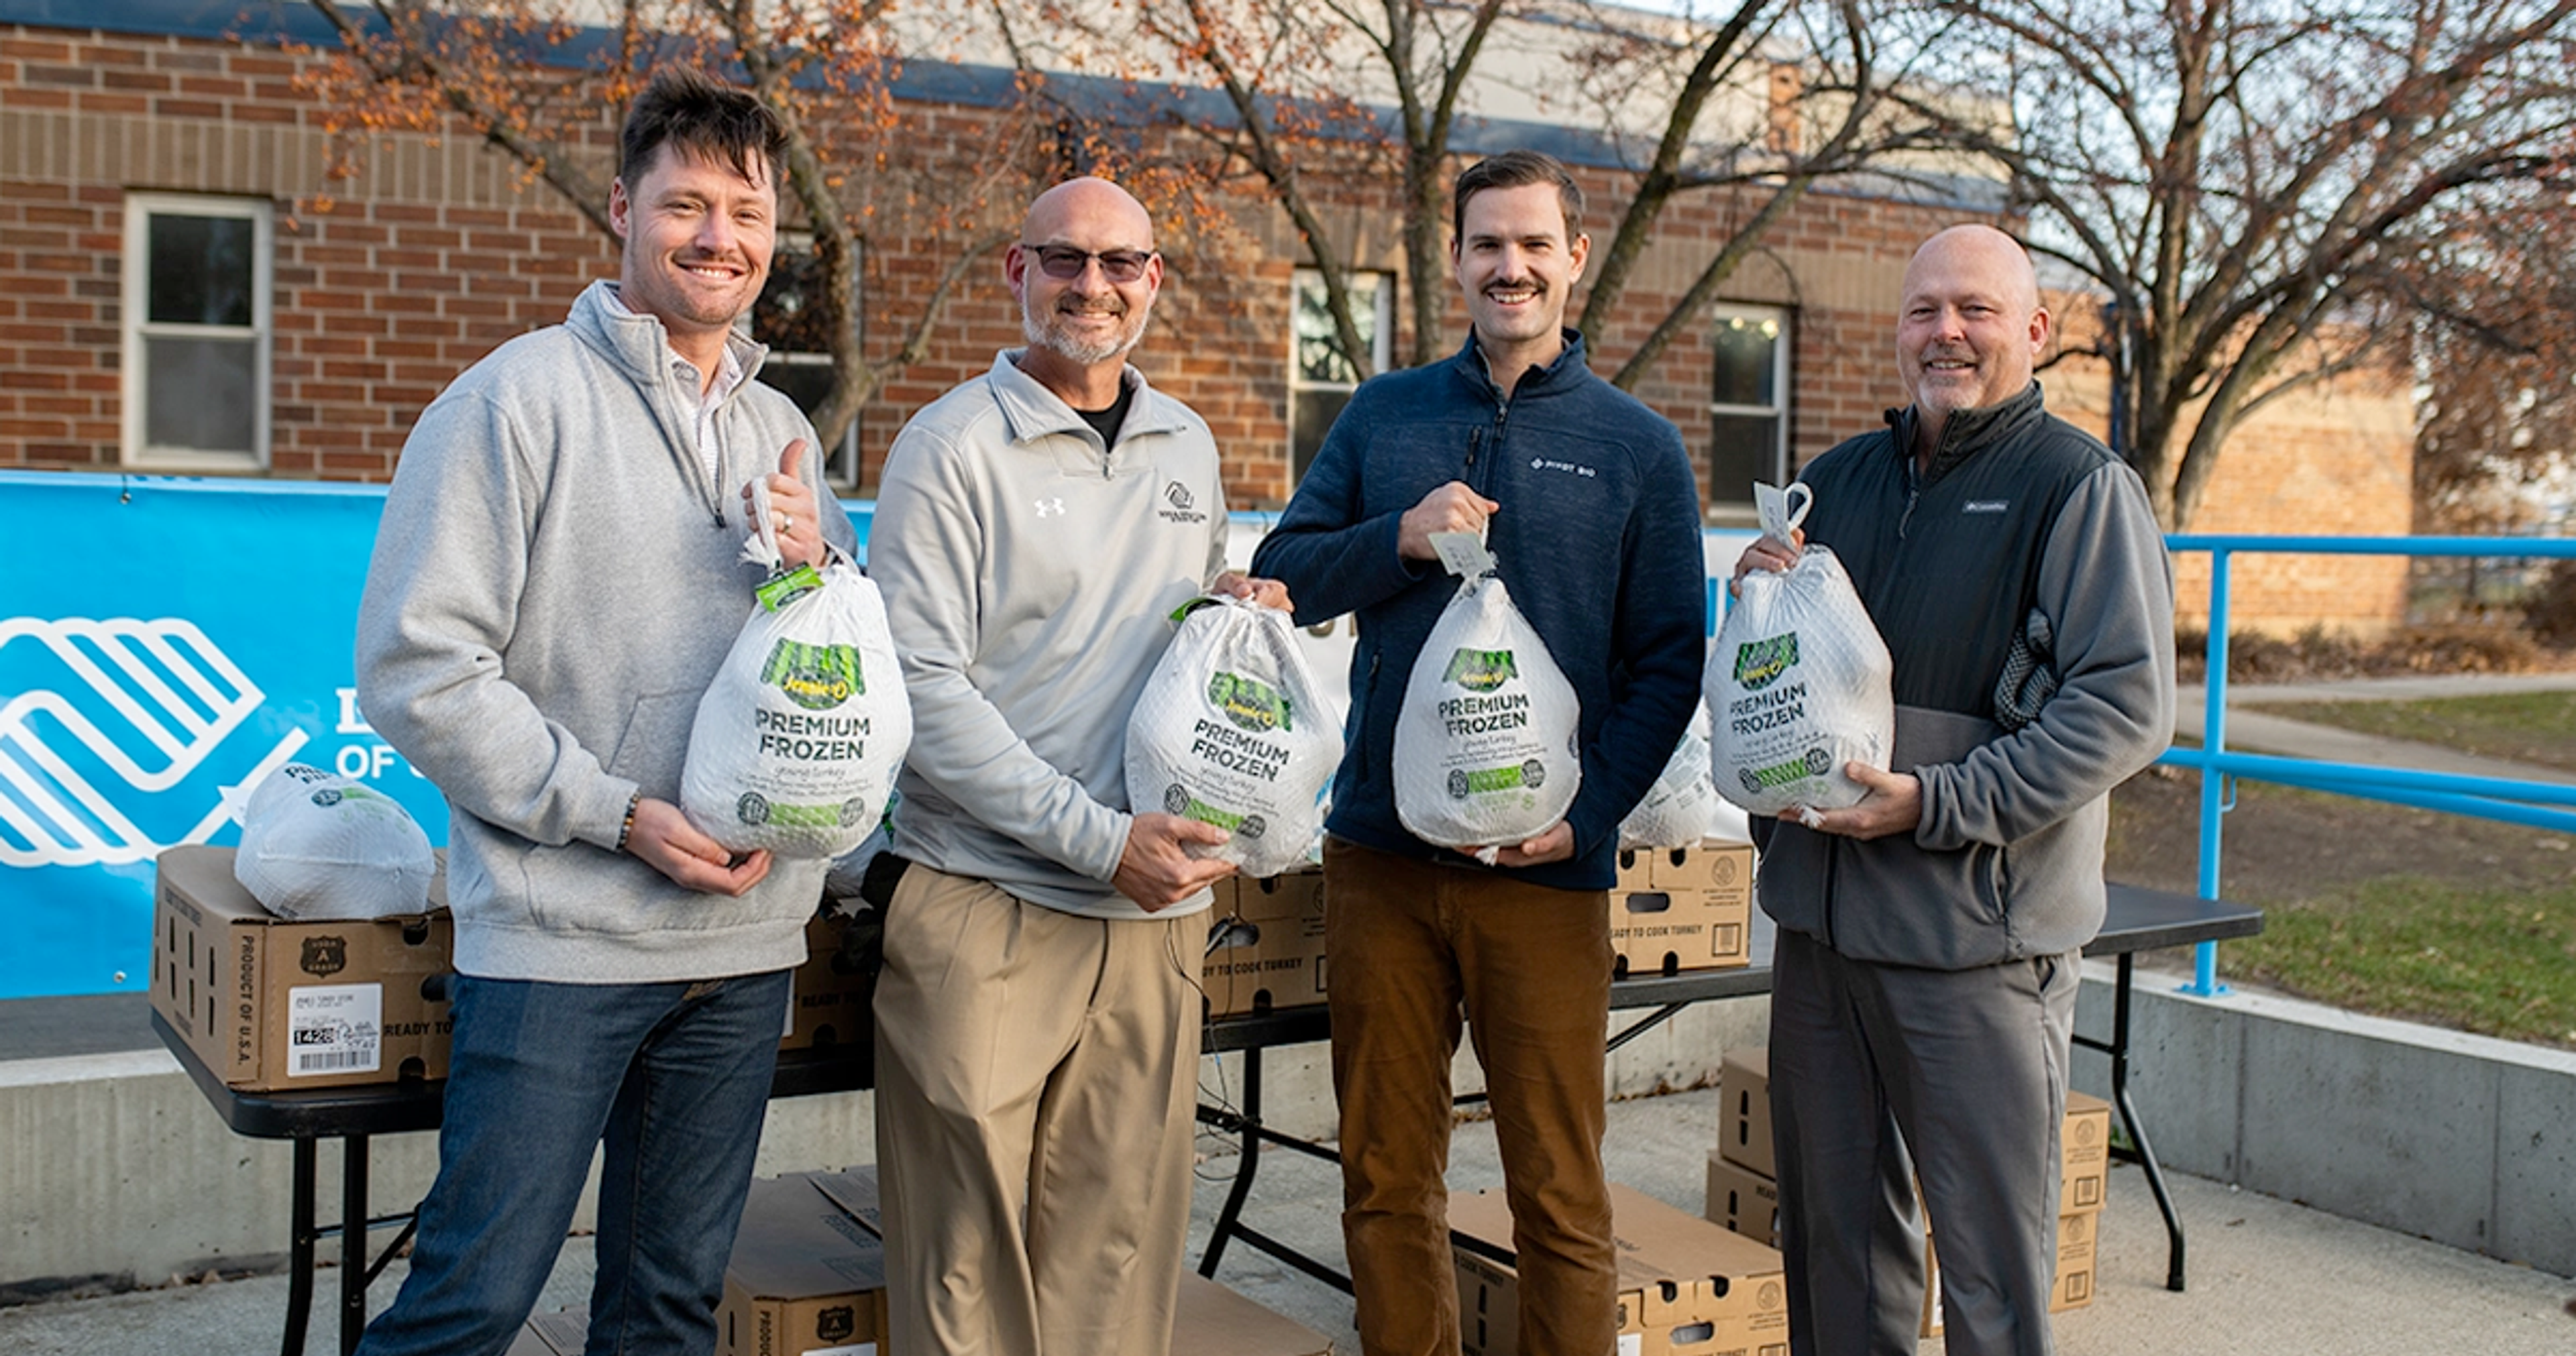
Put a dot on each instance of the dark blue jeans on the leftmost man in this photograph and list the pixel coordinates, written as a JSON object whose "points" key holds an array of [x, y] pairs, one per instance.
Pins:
{"points": [[676, 1077]]}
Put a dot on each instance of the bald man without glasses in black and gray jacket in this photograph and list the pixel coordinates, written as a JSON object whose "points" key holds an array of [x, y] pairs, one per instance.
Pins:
{"points": [[1931, 935]]}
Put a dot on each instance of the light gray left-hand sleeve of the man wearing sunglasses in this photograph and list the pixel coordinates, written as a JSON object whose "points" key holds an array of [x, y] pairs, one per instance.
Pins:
{"points": [[929, 552]]}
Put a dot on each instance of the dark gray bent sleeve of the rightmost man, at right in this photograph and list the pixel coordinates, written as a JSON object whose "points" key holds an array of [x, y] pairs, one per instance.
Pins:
{"points": [[2108, 593]]}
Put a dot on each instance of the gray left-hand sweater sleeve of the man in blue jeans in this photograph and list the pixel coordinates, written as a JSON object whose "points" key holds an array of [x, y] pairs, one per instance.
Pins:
{"points": [[439, 611]]}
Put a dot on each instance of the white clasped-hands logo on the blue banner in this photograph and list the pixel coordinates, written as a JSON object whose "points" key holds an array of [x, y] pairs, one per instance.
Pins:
{"points": [[120, 737]]}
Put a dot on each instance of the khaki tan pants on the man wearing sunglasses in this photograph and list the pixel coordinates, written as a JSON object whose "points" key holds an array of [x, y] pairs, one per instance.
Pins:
{"points": [[1037, 1082]]}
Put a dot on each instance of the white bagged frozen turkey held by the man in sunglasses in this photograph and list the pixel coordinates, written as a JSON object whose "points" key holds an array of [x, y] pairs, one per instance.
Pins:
{"points": [[1235, 732]]}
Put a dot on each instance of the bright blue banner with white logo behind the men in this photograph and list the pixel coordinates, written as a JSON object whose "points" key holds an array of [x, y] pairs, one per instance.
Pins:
{"points": [[166, 642]]}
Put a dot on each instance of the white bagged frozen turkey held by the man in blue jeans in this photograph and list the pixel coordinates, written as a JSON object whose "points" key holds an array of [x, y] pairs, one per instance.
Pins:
{"points": [[805, 724]]}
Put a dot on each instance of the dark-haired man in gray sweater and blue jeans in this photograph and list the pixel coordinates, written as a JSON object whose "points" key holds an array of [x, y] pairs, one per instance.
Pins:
{"points": [[555, 585]]}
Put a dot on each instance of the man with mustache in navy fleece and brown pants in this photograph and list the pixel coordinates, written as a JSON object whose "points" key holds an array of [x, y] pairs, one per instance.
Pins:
{"points": [[1591, 508]]}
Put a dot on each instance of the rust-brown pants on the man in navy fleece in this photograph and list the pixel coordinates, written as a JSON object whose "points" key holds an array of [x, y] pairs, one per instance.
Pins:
{"points": [[1410, 946]]}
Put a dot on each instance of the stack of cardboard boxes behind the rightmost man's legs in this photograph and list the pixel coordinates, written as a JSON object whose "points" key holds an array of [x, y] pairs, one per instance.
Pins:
{"points": [[1745, 1198]]}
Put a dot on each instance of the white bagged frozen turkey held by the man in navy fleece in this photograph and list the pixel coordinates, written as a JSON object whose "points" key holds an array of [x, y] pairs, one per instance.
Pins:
{"points": [[1488, 742]]}
